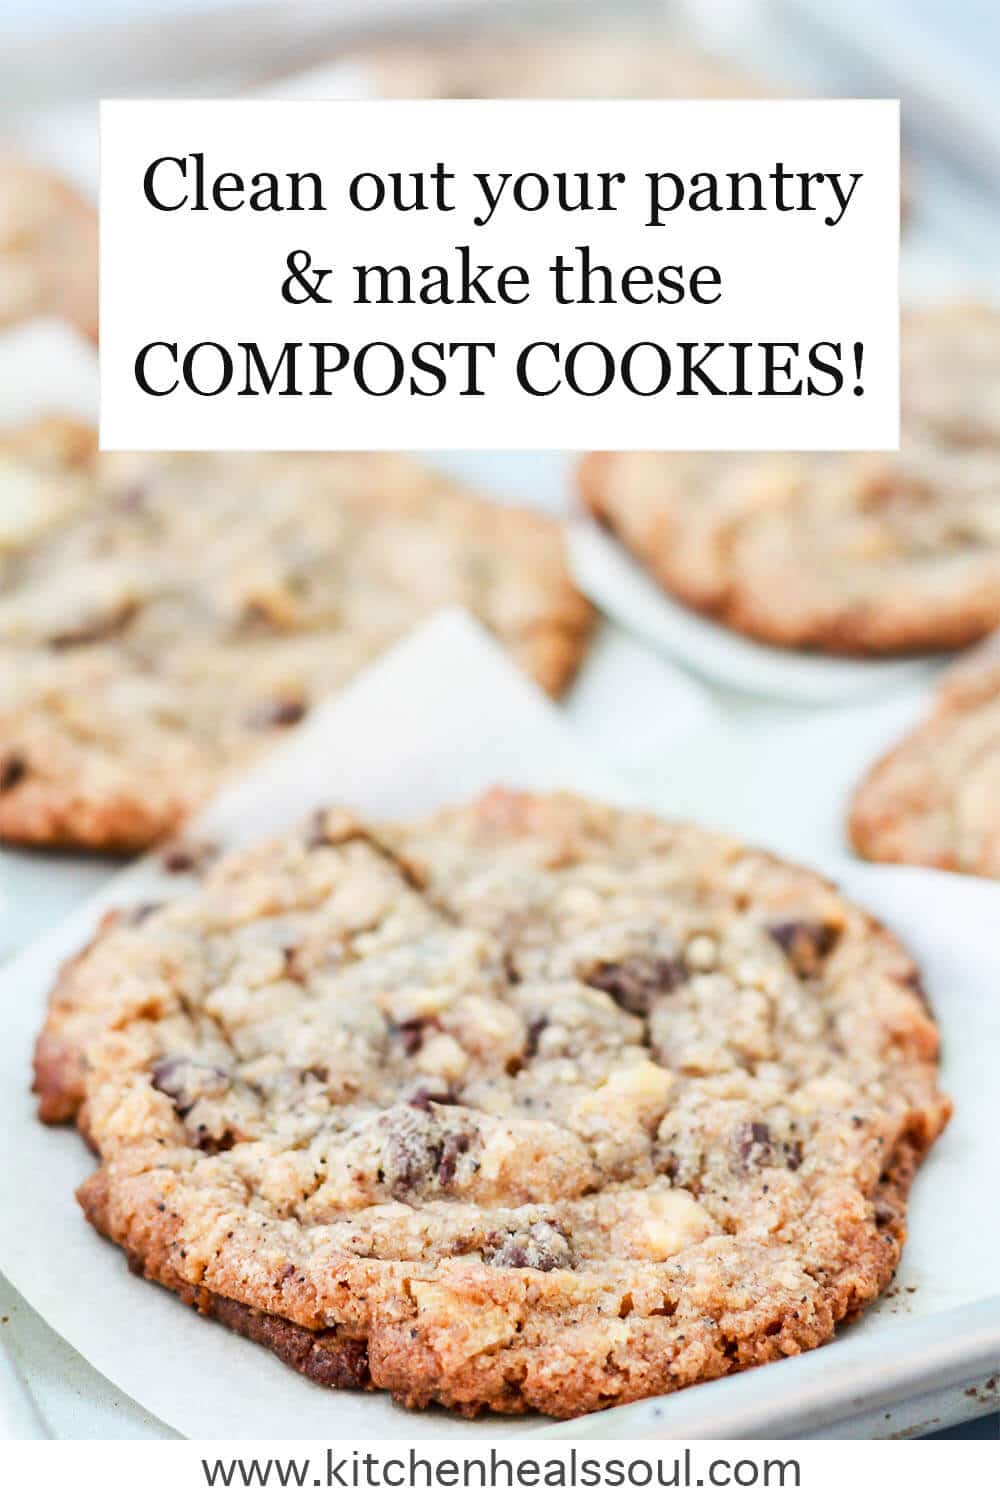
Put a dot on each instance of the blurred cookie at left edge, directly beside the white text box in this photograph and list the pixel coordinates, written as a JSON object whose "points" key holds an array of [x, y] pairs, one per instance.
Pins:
{"points": [[49, 250]]}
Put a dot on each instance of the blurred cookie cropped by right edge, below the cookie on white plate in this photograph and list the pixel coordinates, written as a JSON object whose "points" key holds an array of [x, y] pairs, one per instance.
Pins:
{"points": [[936, 799]]}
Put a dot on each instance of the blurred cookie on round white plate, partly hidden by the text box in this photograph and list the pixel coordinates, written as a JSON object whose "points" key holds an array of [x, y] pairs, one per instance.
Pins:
{"points": [[840, 553]]}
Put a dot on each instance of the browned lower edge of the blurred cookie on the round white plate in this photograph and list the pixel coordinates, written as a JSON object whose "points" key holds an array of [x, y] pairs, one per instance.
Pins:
{"points": [[854, 632]]}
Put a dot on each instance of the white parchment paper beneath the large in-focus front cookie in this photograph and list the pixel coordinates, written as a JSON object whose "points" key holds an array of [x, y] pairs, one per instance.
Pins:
{"points": [[437, 721]]}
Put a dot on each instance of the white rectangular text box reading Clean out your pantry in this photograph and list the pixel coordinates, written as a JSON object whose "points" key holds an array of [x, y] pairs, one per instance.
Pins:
{"points": [[500, 274]]}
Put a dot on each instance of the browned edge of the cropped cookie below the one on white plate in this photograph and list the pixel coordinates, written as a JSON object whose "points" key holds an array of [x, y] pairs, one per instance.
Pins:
{"points": [[878, 824]]}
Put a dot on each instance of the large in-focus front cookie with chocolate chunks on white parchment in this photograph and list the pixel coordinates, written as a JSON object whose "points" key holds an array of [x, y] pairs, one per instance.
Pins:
{"points": [[530, 1106]]}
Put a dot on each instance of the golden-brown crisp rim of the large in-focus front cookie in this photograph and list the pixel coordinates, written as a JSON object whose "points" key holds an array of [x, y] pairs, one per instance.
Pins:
{"points": [[575, 1384]]}
